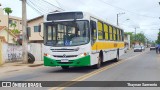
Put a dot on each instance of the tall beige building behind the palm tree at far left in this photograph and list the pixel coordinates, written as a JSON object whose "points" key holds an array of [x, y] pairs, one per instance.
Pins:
{"points": [[12, 19]]}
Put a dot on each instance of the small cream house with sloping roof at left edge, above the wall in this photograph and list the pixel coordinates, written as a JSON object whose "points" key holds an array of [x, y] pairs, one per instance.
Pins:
{"points": [[4, 33]]}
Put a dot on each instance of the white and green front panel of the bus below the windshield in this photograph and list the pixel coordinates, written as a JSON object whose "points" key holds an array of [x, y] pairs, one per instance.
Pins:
{"points": [[74, 58]]}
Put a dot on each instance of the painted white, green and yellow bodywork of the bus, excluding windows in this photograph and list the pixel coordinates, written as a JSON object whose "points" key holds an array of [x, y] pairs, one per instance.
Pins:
{"points": [[108, 47]]}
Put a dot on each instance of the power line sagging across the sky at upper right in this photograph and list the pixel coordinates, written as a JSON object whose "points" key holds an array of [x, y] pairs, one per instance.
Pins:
{"points": [[126, 10]]}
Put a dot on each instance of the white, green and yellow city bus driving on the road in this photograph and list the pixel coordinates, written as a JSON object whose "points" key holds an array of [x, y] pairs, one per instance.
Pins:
{"points": [[76, 39]]}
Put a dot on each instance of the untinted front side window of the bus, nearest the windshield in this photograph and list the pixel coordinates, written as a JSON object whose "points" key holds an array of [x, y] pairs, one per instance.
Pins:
{"points": [[93, 31]]}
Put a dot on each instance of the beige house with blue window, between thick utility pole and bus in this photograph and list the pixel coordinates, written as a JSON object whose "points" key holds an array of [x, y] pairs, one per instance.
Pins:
{"points": [[33, 29]]}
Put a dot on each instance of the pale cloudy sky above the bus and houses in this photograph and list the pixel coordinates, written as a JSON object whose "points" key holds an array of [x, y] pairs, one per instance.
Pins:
{"points": [[140, 14]]}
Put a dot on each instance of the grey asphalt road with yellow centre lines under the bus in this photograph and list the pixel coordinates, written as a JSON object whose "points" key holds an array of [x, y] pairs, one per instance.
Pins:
{"points": [[133, 66]]}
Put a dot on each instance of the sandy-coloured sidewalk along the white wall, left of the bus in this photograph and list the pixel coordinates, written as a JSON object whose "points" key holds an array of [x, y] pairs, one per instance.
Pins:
{"points": [[16, 66]]}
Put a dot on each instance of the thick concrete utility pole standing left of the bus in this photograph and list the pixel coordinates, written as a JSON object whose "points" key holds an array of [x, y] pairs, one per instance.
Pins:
{"points": [[24, 34]]}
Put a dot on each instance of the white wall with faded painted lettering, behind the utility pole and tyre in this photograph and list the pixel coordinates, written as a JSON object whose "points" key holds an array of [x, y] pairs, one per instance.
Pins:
{"points": [[13, 53]]}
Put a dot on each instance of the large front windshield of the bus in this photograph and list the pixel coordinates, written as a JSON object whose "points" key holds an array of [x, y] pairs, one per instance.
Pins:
{"points": [[66, 33]]}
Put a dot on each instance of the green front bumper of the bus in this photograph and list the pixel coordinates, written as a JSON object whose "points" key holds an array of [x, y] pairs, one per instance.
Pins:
{"points": [[84, 61]]}
